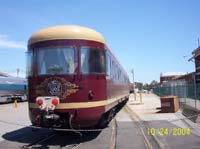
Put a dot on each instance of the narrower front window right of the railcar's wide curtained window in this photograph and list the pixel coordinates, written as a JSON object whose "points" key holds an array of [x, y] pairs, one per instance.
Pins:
{"points": [[92, 60]]}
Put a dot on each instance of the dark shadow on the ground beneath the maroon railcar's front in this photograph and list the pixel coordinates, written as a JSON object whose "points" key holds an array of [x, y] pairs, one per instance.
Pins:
{"points": [[25, 137]]}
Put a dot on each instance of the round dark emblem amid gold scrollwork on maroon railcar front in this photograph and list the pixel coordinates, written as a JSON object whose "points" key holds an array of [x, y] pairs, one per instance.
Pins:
{"points": [[54, 88]]}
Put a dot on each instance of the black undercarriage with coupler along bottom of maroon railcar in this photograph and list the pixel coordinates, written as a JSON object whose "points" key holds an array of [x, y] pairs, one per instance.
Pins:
{"points": [[52, 119]]}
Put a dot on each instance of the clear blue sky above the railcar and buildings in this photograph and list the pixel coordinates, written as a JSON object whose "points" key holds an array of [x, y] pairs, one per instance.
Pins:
{"points": [[149, 36]]}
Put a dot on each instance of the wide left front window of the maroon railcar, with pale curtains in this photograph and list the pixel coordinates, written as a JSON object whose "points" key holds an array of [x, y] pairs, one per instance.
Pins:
{"points": [[55, 60]]}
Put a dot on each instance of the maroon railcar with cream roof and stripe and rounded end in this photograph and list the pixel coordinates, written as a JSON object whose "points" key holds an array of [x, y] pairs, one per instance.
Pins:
{"points": [[74, 80]]}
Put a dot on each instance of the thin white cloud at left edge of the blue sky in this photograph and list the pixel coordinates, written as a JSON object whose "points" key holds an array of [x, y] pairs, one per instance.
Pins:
{"points": [[6, 43]]}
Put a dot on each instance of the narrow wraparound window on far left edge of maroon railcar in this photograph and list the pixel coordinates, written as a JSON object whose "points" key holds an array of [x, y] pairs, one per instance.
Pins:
{"points": [[29, 71]]}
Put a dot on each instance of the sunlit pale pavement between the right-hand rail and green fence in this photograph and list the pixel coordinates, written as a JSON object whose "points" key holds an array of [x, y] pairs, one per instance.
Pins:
{"points": [[148, 114]]}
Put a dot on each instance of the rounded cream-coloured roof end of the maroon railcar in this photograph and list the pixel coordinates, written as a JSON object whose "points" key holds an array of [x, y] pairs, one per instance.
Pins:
{"points": [[66, 32]]}
